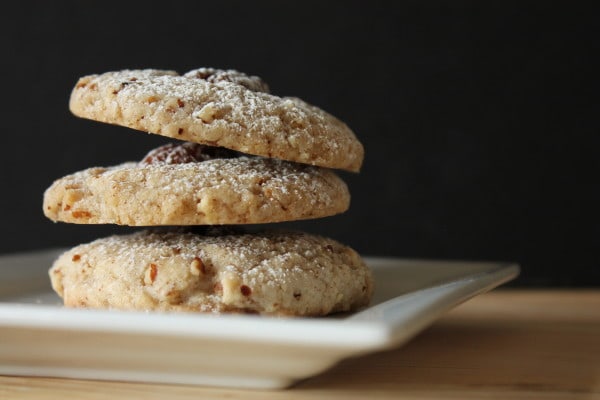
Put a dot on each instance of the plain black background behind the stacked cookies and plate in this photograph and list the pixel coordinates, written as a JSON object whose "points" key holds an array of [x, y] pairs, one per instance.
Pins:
{"points": [[479, 119]]}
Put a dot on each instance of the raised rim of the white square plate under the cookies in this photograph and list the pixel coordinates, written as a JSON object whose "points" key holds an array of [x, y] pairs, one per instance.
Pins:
{"points": [[369, 333]]}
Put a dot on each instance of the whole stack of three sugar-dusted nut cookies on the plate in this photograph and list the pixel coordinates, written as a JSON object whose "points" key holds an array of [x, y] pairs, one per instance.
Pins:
{"points": [[242, 156]]}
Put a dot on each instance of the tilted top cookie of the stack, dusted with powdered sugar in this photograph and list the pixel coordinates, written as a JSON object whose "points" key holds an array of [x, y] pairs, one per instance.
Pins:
{"points": [[218, 108]]}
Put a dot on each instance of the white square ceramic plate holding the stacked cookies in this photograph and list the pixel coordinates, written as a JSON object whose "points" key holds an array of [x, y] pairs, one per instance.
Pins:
{"points": [[39, 337]]}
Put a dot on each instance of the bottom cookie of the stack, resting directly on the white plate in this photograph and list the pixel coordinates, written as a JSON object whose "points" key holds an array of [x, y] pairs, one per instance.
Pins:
{"points": [[272, 273]]}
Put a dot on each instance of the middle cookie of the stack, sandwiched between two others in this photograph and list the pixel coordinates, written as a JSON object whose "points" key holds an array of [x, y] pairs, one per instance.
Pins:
{"points": [[191, 184]]}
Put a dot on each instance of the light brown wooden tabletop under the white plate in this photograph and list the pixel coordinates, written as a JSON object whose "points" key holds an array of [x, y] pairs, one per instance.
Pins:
{"points": [[507, 344]]}
